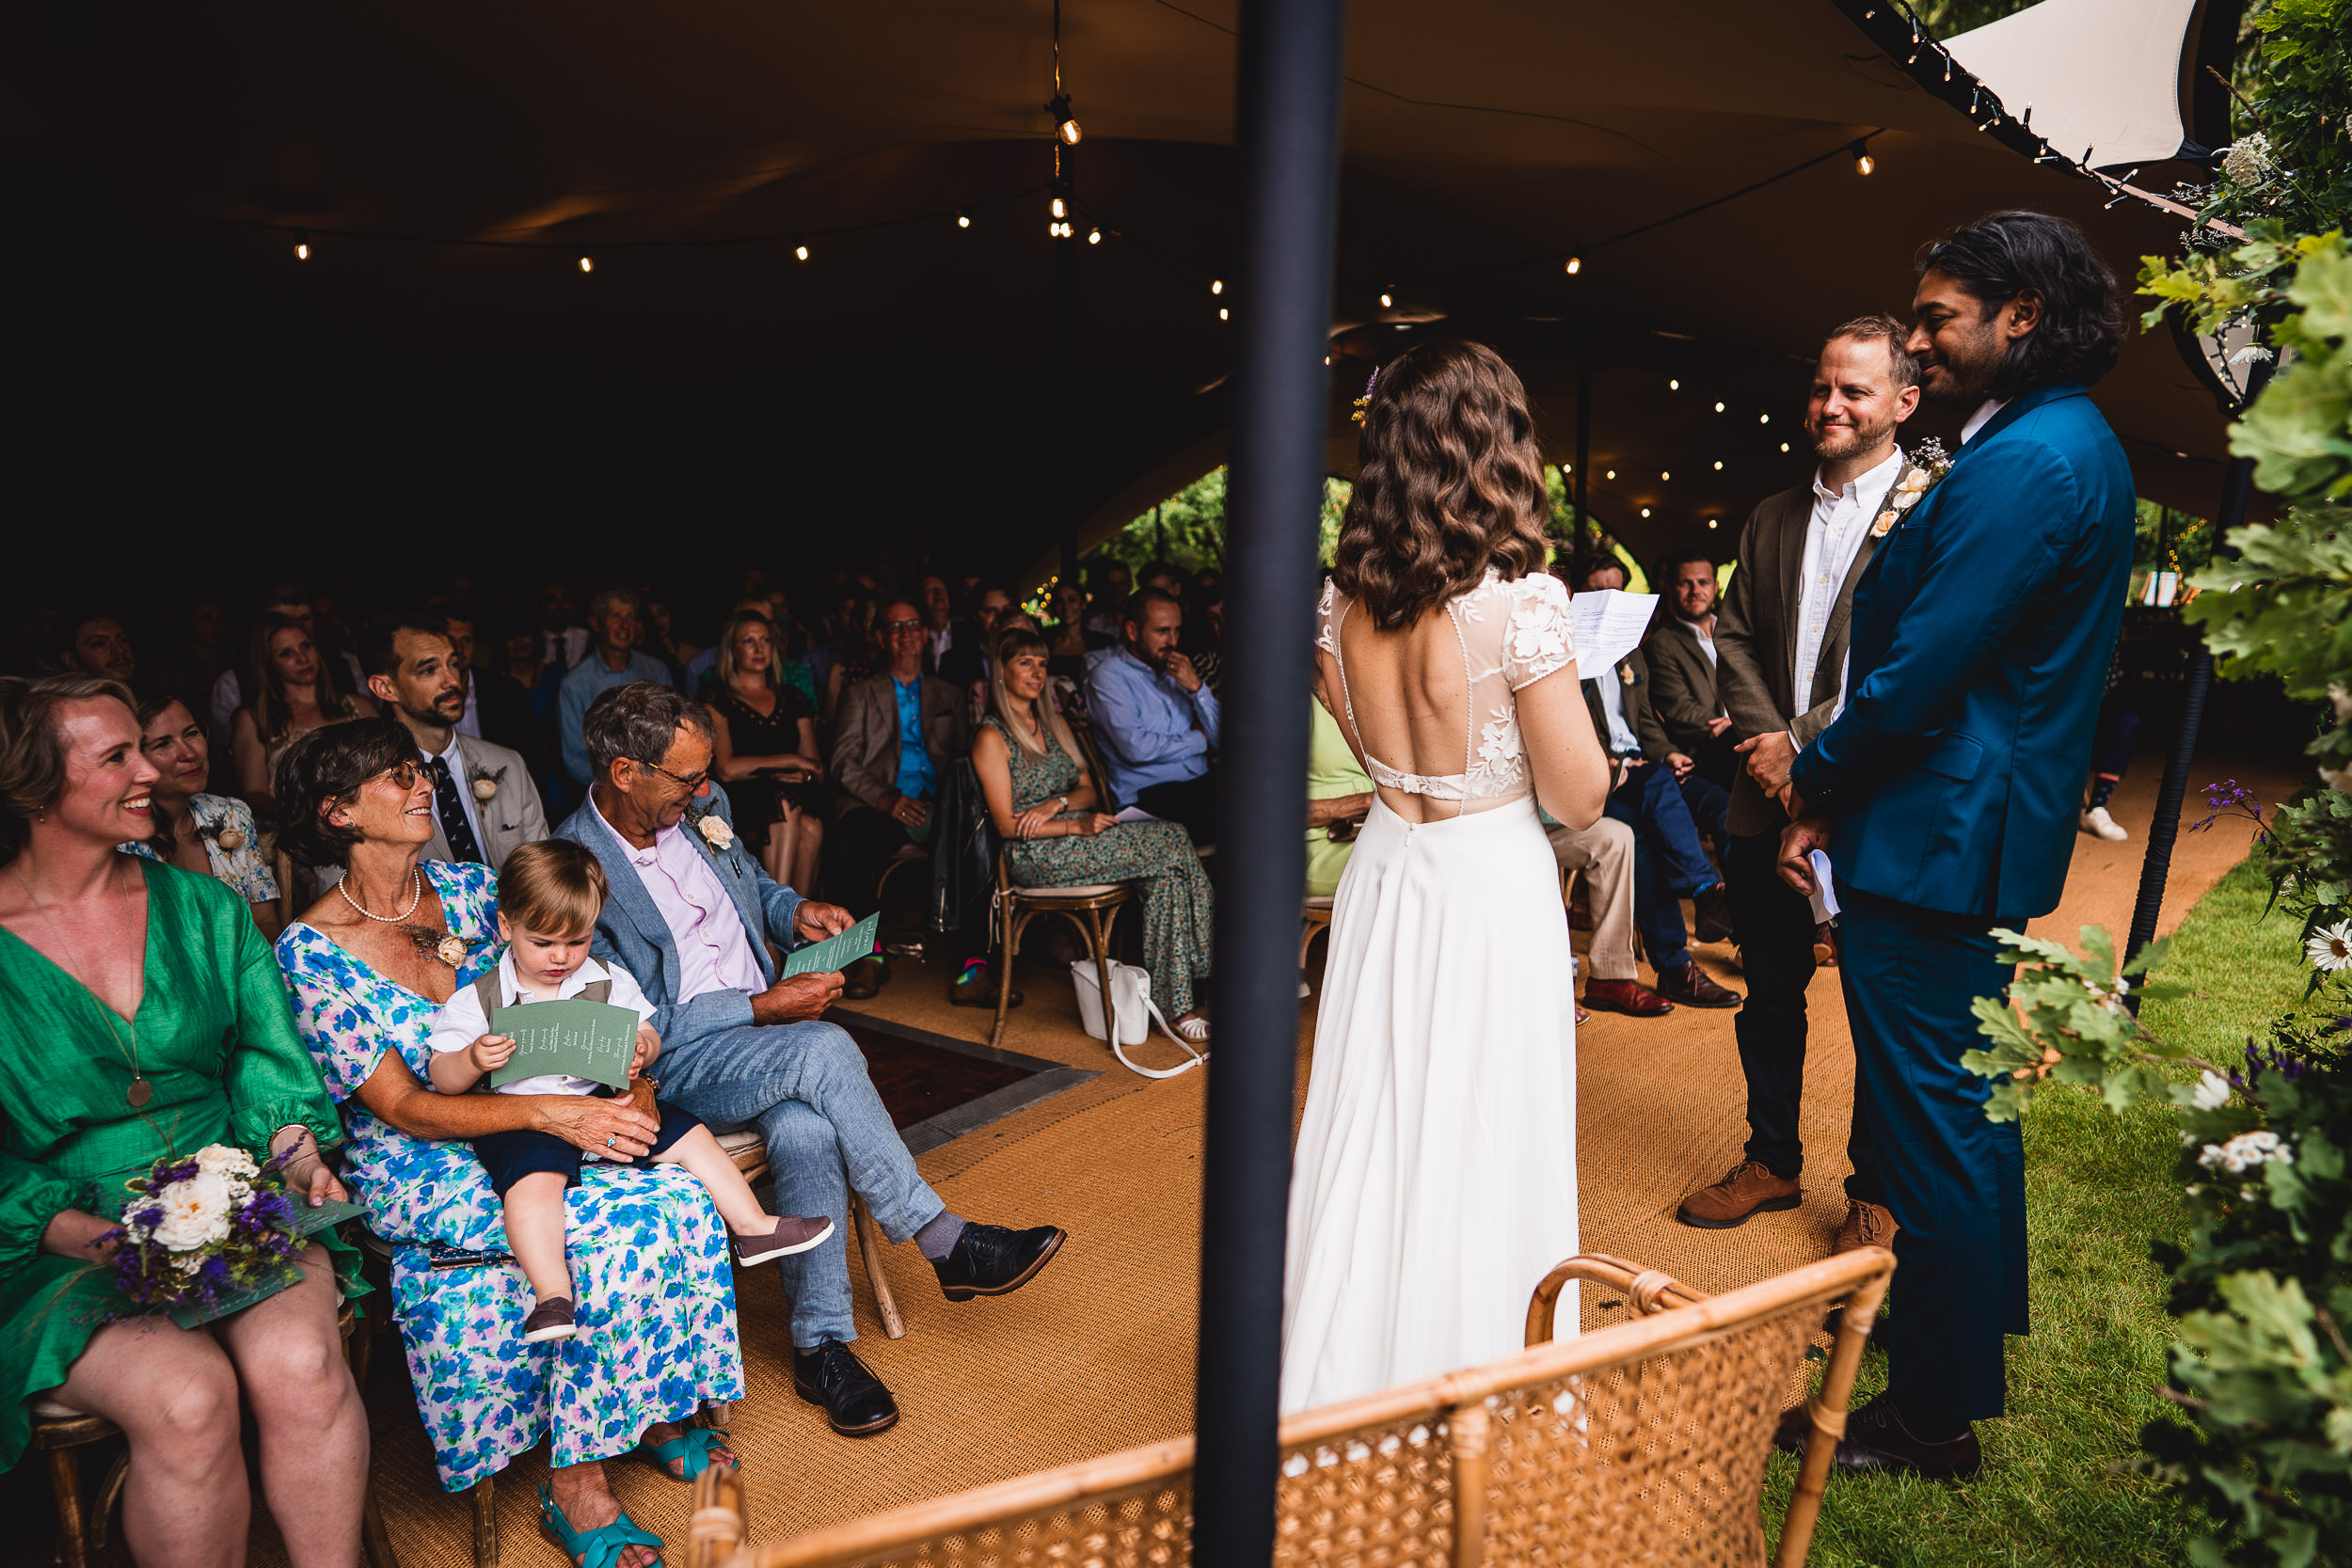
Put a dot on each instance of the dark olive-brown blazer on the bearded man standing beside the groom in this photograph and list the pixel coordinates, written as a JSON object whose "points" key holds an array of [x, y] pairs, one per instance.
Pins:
{"points": [[1756, 643]]}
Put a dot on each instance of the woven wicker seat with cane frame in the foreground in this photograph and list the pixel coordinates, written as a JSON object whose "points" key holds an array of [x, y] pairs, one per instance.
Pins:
{"points": [[1641, 1442]]}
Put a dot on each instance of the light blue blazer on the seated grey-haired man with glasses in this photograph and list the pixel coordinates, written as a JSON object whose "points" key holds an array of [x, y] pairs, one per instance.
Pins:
{"points": [[634, 934]]}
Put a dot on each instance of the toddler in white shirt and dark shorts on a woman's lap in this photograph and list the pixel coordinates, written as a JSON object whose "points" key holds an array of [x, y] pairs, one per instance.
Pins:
{"points": [[549, 902]]}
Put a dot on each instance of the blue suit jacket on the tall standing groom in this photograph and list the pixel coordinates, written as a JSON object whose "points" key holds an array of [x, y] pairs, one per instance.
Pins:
{"points": [[1982, 641]]}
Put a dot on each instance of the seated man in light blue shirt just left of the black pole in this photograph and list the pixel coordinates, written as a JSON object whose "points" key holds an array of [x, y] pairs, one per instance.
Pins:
{"points": [[1156, 718]]}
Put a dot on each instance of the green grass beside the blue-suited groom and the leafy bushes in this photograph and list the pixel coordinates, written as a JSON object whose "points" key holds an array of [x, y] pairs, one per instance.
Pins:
{"points": [[2099, 1191]]}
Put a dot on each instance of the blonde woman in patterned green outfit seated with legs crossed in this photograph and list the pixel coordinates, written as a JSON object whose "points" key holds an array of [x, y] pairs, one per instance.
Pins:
{"points": [[1043, 803]]}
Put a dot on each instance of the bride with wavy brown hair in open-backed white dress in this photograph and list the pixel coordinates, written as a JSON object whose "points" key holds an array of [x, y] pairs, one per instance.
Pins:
{"points": [[1436, 1172]]}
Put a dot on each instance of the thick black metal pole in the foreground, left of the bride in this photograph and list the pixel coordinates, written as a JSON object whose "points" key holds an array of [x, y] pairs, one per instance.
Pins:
{"points": [[1288, 140]]}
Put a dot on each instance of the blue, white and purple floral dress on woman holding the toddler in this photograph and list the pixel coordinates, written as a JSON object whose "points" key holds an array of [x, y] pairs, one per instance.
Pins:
{"points": [[657, 1327]]}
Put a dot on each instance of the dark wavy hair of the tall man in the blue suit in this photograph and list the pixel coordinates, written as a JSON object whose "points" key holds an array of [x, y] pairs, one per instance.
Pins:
{"points": [[2014, 253]]}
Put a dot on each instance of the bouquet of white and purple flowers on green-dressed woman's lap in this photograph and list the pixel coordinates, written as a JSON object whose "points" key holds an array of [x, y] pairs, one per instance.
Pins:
{"points": [[206, 1233]]}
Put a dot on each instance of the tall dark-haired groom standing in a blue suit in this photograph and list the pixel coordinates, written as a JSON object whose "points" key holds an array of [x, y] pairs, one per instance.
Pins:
{"points": [[1949, 789]]}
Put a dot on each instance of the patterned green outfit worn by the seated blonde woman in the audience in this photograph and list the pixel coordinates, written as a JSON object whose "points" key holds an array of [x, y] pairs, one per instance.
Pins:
{"points": [[1158, 855]]}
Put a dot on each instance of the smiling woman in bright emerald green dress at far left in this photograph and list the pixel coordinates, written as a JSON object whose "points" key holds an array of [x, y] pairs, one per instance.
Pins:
{"points": [[142, 1014]]}
